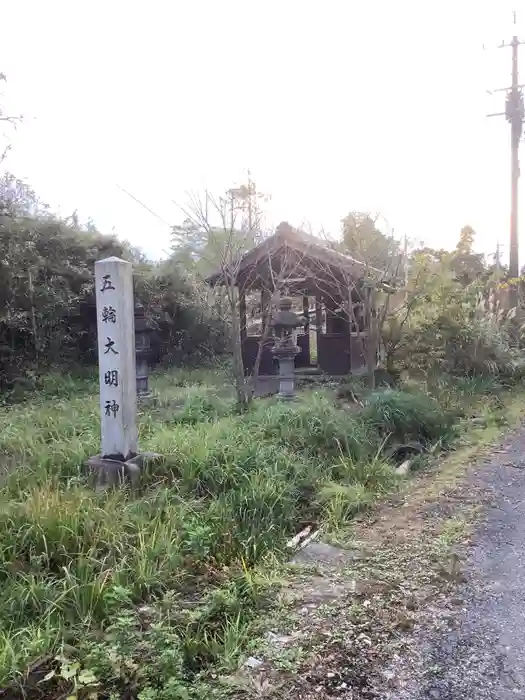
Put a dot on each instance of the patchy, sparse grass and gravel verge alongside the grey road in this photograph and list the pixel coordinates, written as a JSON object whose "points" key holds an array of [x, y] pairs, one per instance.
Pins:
{"points": [[344, 627]]}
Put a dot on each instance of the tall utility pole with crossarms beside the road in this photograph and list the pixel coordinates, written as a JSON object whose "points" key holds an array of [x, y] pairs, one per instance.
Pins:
{"points": [[514, 113]]}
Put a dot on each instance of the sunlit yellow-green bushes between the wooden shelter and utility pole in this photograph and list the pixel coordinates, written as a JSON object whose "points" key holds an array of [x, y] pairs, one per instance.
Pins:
{"points": [[455, 323]]}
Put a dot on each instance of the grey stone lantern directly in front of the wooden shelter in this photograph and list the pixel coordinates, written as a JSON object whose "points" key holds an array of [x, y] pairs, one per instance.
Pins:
{"points": [[285, 326]]}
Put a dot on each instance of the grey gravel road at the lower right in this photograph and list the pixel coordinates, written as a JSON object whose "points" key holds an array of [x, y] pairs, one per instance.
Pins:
{"points": [[472, 647]]}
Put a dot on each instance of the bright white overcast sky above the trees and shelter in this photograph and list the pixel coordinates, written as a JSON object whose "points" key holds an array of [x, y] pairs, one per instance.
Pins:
{"points": [[334, 106]]}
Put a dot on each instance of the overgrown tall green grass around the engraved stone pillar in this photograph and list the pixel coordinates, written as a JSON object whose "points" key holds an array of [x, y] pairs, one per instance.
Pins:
{"points": [[163, 592]]}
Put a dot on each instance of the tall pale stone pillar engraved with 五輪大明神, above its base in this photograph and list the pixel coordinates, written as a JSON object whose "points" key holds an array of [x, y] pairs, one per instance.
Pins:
{"points": [[116, 358]]}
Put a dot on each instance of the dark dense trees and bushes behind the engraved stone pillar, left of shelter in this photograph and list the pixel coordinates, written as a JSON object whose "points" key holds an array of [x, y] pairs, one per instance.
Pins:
{"points": [[47, 304]]}
